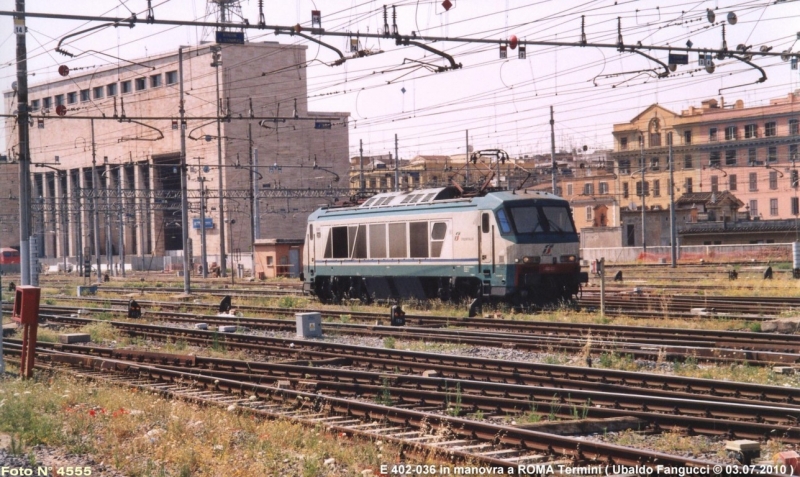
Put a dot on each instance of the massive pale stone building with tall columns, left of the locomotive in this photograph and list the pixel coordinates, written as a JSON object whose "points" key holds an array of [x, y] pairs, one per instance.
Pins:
{"points": [[134, 141]]}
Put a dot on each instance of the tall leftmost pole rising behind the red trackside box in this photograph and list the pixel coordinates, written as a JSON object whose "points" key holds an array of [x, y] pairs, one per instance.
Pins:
{"points": [[24, 148]]}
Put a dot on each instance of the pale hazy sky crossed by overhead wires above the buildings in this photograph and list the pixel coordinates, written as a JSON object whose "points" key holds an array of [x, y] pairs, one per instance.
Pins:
{"points": [[503, 103]]}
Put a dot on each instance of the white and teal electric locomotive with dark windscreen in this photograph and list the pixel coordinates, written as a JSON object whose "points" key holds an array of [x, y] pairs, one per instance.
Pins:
{"points": [[519, 247]]}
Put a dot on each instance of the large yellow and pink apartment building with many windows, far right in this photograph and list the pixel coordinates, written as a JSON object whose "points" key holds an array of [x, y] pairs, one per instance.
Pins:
{"points": [[750, 152]]}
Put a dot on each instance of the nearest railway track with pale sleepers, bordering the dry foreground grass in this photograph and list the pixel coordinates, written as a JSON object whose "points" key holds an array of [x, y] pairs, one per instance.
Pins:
{"points": [[412, 422]]}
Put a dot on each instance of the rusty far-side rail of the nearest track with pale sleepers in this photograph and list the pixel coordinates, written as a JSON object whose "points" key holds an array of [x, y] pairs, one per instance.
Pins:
{"points": [[577, 449]]}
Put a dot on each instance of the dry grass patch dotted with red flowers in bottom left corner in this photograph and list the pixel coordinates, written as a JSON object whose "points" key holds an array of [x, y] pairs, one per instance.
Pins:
{"points": [[142, 434]]}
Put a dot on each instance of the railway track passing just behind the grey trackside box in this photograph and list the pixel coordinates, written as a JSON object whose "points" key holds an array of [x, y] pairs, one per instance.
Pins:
{"points": [[639, 342]]}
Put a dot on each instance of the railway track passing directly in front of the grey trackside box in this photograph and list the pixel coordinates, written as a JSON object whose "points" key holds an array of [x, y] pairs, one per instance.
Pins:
{"points": [[461, 367]]}
